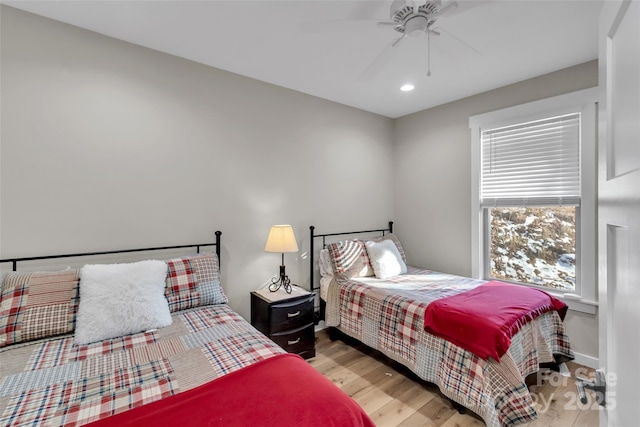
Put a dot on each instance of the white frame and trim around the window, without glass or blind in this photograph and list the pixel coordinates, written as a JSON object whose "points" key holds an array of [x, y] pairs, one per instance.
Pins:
{"points": [[585, 101]]}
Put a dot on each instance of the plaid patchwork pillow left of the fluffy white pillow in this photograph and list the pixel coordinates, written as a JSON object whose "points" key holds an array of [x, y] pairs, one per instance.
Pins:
{"points": [[37, 305]]}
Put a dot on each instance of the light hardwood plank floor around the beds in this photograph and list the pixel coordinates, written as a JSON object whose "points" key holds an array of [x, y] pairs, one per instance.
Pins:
{"points": [[393, 396]]}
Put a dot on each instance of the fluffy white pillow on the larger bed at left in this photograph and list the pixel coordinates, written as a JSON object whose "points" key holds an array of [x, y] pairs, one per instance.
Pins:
{"points": [[121, 299]]}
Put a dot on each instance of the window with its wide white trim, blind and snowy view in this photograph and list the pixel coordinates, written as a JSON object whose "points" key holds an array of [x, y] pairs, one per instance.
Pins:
{"points": [[533, 201]]}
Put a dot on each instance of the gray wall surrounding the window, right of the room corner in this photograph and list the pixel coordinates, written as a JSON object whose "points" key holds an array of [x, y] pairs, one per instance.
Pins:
{"points": [[432, 173]]}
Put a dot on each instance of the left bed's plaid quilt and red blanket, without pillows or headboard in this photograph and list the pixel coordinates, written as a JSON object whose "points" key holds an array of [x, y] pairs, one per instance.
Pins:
{"points": [[58, 383]]}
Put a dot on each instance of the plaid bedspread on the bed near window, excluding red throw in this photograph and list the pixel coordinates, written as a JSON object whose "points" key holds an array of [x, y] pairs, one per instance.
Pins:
{"points": [[389, 316]]}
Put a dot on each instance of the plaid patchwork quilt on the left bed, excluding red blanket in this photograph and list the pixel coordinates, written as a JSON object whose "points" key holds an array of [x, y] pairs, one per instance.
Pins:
{"points": [[55, 382]]}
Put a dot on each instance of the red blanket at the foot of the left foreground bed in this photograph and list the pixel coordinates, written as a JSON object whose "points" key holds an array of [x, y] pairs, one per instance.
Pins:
{"points": [[283, 390]]}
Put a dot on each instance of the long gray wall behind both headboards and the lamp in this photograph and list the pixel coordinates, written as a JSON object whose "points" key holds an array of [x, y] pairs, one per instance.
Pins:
{"points": [[107, 145]]}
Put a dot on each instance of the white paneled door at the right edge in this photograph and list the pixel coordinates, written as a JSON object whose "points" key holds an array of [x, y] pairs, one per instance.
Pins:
{"points": [[619, 210]]}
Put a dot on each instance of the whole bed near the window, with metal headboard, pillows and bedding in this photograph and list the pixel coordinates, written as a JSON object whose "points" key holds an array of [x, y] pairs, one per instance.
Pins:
{"points": [[407, 314]]}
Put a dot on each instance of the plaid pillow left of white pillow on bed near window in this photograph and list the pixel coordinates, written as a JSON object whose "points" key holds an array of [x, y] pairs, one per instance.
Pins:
{"points": [[350, 259]]}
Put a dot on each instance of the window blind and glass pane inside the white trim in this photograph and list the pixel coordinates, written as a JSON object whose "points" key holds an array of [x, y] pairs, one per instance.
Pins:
{"points": [[530, 172]]}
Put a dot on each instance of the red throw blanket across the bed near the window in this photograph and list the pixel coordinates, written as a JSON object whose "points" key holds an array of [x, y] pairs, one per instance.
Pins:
{"points": [[484, 319]]}
